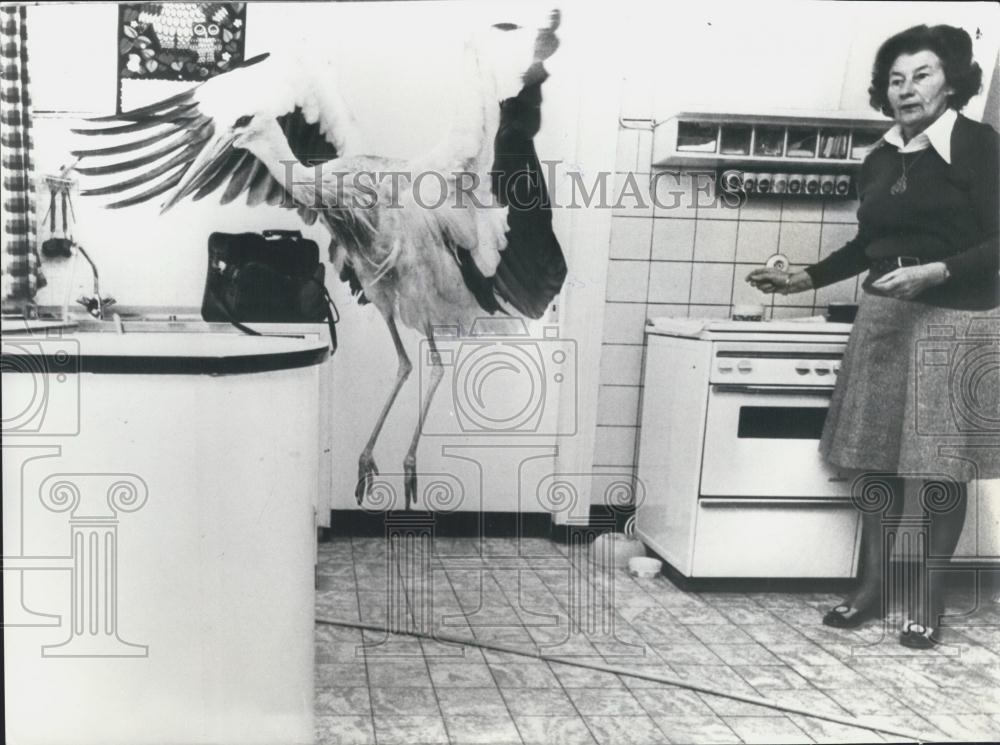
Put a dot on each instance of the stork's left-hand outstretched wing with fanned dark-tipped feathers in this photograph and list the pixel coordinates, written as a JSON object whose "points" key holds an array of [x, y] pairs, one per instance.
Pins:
{"points": [[180, 144]]}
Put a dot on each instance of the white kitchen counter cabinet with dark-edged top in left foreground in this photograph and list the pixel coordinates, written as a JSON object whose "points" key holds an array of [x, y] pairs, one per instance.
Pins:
{"points": [[159, 539]]}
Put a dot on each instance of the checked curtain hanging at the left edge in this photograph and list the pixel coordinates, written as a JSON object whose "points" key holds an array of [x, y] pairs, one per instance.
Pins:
{"points": [[21, 262]]}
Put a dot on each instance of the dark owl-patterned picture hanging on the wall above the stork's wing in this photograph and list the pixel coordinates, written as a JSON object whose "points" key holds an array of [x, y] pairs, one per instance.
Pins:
{"points": [[179, 42]]}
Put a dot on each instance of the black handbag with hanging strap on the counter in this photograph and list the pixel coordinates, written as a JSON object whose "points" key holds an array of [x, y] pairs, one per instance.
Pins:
{"points": [[270, 277]]}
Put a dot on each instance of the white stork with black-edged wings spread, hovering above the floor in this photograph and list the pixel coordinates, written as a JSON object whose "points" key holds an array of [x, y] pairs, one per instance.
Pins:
{"points": [[283, 136]]}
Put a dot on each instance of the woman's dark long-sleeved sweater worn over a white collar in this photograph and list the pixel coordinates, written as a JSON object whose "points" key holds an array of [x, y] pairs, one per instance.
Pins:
{"points": [[948, 213]]}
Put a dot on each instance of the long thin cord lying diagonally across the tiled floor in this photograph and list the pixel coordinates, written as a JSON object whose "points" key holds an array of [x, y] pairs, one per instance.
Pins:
{"points": [[448, 639]]}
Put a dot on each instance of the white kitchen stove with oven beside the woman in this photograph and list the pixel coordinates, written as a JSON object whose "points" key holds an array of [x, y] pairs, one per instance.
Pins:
{"points": [[733, 481]]}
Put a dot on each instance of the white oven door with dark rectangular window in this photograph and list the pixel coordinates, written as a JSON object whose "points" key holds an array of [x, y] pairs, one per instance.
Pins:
{"points": [[762, 441]]}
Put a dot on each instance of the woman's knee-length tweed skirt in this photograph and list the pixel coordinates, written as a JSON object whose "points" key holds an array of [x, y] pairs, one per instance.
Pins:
{"points": [[918, 393]]}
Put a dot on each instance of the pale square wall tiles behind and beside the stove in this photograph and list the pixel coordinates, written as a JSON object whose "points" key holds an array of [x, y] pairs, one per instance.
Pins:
{"points": [[686, 254]]}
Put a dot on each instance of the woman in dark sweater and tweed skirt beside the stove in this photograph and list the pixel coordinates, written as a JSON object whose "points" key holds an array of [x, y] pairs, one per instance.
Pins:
{"points": [[916, 400]]}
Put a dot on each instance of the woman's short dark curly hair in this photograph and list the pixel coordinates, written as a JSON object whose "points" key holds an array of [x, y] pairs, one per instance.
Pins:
{"points": [[952, 45]]}
